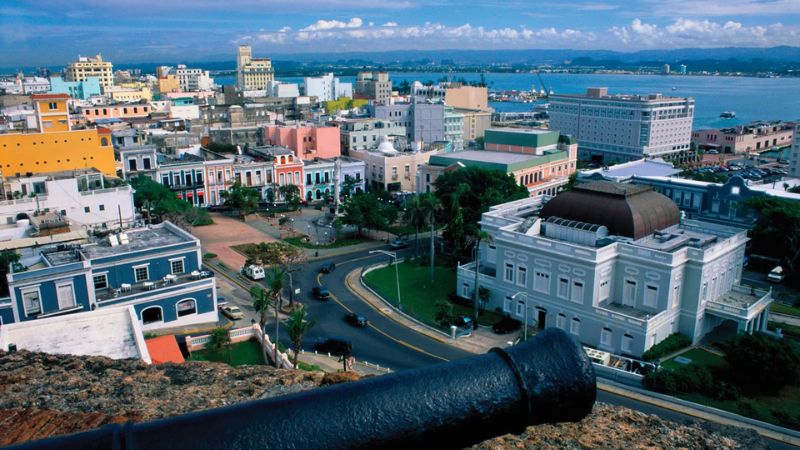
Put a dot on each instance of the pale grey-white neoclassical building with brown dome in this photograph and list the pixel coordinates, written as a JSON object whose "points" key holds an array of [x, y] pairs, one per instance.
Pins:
{"points": [[615, 266]]}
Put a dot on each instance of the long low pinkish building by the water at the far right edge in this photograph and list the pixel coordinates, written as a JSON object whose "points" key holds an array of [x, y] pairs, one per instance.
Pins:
{"points": [[753, 137]]}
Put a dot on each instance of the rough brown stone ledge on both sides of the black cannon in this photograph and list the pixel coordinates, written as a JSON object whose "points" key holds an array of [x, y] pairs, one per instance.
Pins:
{"points": [[43, 395]]}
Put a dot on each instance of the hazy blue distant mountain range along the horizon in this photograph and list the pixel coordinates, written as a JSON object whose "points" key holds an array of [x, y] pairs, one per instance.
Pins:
{"points": [[745, 59]]}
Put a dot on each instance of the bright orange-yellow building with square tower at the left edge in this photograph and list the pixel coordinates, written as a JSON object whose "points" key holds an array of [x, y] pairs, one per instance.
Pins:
{"points": [[55, 146]]}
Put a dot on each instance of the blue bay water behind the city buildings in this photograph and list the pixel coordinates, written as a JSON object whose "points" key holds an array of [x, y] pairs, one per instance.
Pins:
{"points": [[750, 98]]}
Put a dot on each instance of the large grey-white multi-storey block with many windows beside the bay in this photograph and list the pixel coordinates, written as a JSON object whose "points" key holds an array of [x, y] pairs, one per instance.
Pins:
{"points": [[618, 128]]}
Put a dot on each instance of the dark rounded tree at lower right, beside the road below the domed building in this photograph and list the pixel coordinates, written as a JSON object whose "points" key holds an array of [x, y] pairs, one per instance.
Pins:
{"points": [[762, 364]]}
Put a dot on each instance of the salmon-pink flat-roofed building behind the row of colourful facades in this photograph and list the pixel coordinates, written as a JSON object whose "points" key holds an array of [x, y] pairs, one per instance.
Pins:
{"points": [[307, 142]]}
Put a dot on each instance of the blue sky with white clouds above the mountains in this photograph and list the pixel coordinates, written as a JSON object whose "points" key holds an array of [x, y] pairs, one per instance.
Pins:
{"points": [[53, 32]]}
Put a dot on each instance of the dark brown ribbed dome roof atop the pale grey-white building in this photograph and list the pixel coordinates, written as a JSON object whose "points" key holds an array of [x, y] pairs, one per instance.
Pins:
{"points": [[625, 209]]}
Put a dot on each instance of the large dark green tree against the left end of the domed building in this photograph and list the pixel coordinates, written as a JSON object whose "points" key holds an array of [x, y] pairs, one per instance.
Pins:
{"points": [[466, 194]]}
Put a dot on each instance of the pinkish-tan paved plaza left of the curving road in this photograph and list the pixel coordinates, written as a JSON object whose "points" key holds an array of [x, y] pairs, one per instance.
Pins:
{"points": [[226, 232]]}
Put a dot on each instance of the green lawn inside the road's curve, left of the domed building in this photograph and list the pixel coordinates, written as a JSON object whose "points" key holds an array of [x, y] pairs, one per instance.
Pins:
{"points": [[417, 292]]}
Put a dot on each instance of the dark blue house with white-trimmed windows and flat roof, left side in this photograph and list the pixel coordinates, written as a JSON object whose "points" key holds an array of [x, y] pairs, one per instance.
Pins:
{"points": [[156, 269]]}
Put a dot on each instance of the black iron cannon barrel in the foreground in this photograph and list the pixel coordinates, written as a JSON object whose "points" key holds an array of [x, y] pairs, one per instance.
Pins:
{"points": [[450, 405]]}
